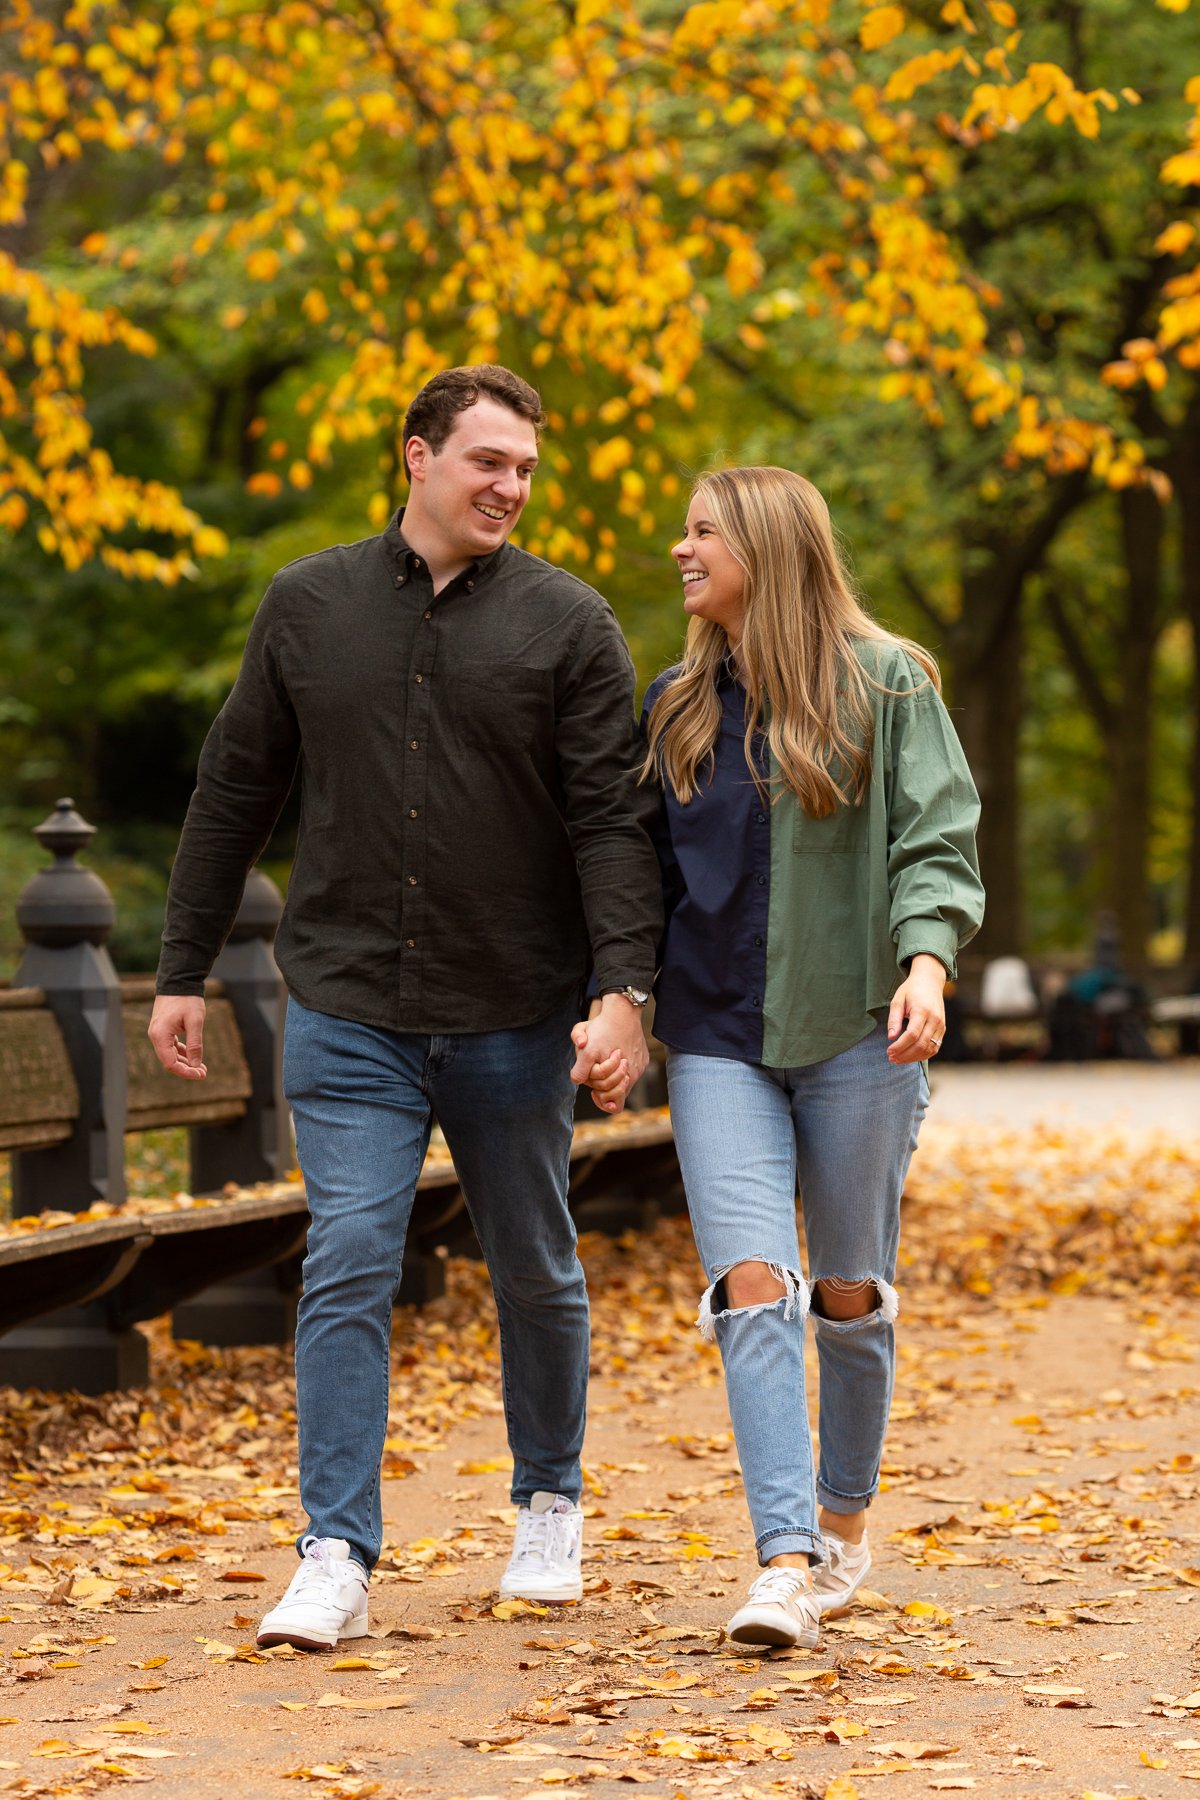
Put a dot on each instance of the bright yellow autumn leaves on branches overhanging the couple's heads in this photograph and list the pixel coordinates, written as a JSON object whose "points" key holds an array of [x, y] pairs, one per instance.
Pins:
{"points": [[415, 192]]}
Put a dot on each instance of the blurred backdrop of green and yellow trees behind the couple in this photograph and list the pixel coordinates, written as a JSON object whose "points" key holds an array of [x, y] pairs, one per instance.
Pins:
{"points": [[940, 256]]}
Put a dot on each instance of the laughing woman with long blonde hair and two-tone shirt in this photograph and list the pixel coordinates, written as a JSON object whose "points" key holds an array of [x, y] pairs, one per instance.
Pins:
{"points": [[819, 865]]}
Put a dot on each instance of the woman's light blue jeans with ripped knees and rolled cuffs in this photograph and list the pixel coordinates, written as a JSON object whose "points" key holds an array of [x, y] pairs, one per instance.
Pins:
{"points": [[848, 1129]]}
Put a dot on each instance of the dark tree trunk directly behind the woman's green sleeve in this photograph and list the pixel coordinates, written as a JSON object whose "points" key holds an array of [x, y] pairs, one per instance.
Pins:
{"points": [[987, 706]]}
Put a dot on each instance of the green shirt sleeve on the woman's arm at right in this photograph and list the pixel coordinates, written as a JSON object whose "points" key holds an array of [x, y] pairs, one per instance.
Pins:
{"points": [[936, 895]]}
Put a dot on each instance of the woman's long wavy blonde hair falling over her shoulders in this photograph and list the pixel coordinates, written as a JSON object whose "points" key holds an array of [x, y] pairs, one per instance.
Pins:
{"points": [[800, 652]]}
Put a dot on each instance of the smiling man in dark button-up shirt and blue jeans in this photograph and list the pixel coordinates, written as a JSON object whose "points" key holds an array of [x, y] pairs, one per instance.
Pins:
{"points": [[461, 715]]}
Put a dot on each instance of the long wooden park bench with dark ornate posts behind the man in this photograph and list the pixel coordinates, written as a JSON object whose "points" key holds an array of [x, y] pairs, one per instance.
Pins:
{"points": [[82, 1264]]}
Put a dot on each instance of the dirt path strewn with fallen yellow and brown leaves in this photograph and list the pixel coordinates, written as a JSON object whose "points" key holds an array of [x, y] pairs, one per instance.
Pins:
{"points": [[1037, 1590]]}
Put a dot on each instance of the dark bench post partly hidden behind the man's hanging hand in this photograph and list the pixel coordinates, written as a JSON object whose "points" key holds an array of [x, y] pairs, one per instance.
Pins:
{"points": [[256, 1308]]}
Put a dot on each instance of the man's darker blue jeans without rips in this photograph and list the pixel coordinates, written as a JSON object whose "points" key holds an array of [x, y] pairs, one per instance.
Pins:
{"points": [[363, 1101]]}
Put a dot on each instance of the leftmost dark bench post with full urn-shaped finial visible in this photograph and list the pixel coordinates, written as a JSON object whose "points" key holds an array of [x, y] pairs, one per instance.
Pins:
{"points": [[66, 915]]}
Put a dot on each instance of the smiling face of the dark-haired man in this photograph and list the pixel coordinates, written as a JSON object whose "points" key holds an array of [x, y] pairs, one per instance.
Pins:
{"points": [[472, 490]]}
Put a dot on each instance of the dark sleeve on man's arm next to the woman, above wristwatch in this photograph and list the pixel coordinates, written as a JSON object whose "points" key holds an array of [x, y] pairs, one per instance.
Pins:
{"points": [[598, 753]]}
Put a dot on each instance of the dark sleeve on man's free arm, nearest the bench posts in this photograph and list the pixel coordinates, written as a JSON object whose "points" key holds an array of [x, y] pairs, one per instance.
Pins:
{"points": [[246, 771]]}
